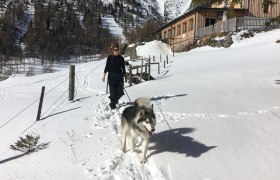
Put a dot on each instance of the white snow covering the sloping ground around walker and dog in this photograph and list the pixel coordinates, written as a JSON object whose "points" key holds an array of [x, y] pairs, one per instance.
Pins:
{"points": [[217, 114]]}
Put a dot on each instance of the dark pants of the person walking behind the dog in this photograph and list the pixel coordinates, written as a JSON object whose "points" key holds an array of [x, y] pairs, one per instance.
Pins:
{"points": [[116, 88]]}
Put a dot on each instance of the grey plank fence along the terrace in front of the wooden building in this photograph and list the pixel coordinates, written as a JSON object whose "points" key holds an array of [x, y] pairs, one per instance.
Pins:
{"points": [[236, 24]]}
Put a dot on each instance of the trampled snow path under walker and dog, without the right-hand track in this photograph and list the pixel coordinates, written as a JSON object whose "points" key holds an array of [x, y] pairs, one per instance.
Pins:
{"points": [[118, 165]]}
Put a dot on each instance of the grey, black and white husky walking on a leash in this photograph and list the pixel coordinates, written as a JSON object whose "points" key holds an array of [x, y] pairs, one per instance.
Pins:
{"points": [[138, 120]]}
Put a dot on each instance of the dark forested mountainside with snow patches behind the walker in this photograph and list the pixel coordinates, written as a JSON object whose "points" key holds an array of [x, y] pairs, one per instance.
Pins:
{"points": [[61, 29]]}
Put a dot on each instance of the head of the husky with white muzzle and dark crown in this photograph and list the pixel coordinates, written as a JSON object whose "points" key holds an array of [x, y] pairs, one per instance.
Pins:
{"points": [[147, 119]]}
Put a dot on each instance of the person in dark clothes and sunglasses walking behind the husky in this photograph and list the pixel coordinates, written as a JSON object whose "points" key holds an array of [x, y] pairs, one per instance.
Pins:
{"points": [[115, 67]]}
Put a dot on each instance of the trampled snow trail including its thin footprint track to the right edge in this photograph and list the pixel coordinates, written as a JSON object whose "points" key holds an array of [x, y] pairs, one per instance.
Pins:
{"points": [[119, 165]]}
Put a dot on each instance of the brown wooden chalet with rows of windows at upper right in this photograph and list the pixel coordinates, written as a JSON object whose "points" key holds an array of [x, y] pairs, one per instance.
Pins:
{"points": [[183, 30]]}
